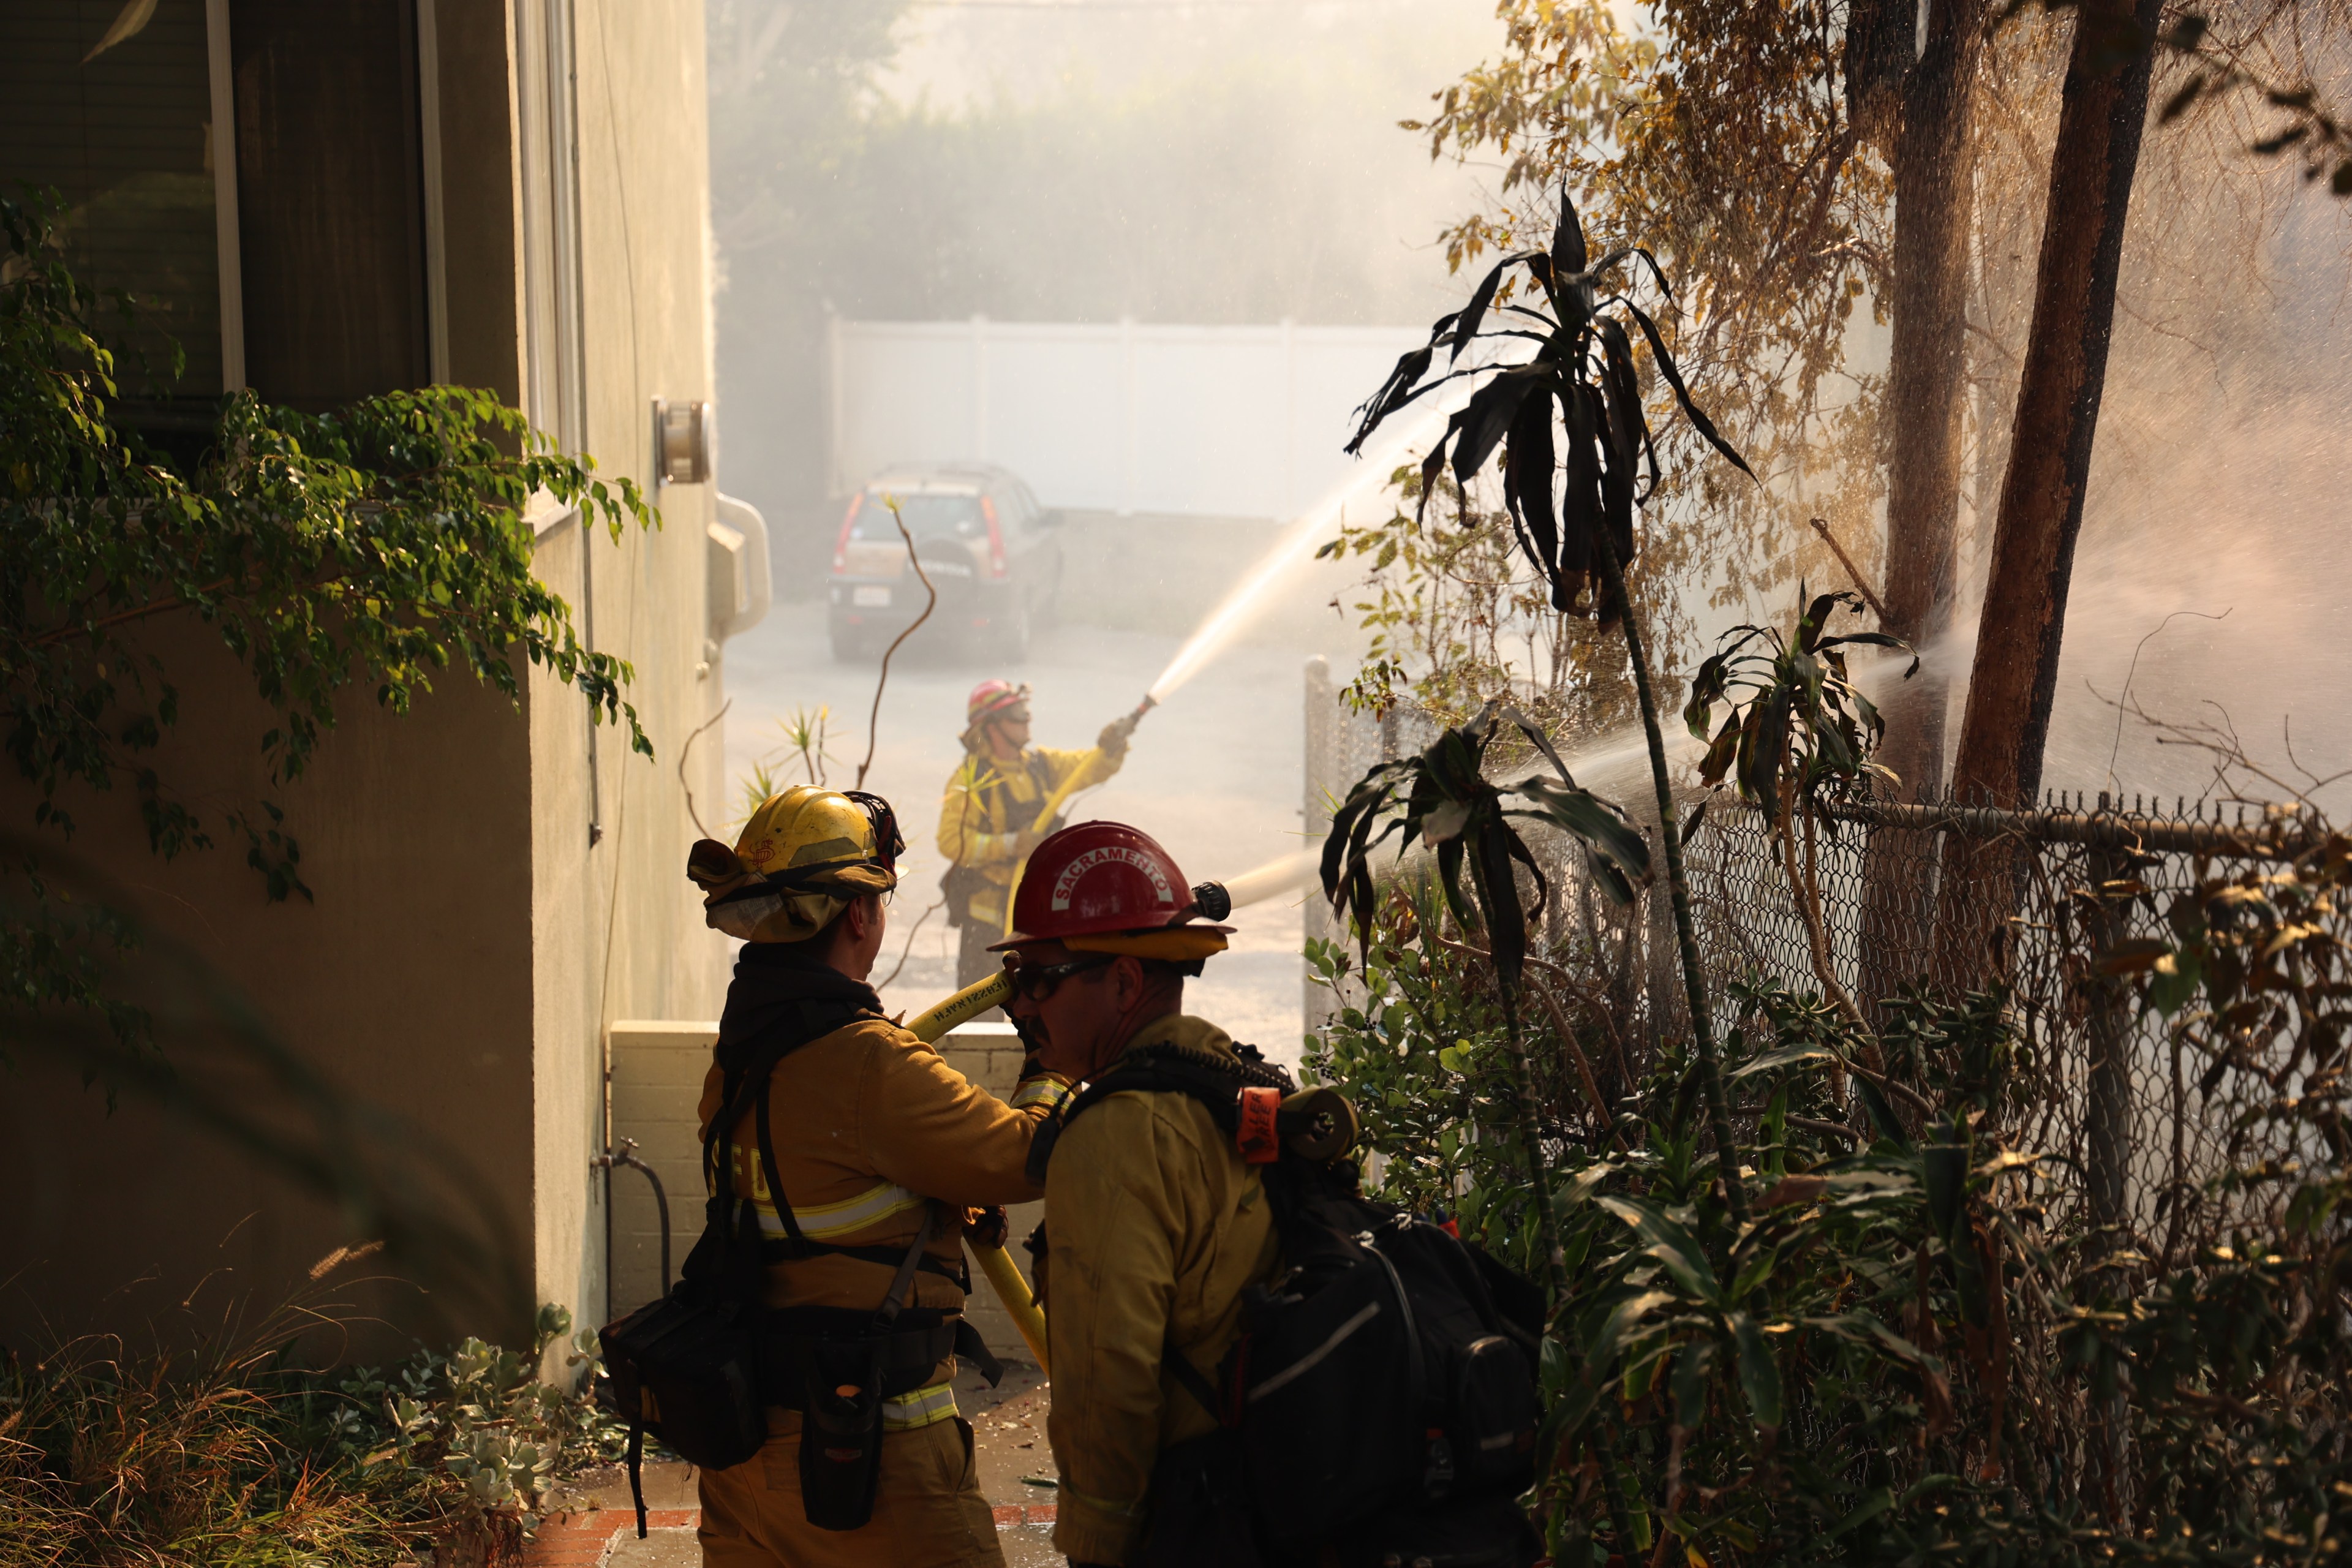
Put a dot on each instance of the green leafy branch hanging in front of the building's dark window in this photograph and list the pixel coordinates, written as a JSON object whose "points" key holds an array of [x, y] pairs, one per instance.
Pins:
{"points": [[375, 547]]}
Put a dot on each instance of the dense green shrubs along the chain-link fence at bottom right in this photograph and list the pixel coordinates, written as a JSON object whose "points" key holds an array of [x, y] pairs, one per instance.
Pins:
{"points": [[1916, 1348]]}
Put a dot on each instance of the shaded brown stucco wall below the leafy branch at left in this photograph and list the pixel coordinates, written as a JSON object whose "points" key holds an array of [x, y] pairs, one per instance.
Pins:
{"points": [[403, 984]]}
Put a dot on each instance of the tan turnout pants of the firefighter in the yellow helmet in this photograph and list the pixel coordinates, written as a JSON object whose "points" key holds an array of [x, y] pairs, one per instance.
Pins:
{"points": [[928, 1508]]}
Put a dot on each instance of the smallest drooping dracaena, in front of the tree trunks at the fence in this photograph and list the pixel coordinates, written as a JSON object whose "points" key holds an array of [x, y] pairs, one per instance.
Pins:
{"points": [[1796, 737]]}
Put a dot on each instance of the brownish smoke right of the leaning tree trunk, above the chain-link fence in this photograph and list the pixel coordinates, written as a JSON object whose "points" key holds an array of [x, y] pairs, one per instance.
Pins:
{"points": [[2217, 554]]}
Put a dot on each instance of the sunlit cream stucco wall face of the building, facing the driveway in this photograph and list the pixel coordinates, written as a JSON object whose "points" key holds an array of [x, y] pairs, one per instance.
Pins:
{"points": [[622, 937]]}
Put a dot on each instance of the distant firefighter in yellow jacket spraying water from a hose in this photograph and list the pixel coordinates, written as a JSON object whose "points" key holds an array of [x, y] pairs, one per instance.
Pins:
{"points": [[989, 812]]}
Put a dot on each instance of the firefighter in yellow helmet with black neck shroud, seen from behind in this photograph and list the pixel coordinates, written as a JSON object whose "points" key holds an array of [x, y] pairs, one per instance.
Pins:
{"points": [[869, 1165]]}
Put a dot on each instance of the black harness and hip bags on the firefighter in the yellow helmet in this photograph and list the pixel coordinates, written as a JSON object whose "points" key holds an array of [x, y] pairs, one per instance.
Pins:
{"points": [[702, 1367]]}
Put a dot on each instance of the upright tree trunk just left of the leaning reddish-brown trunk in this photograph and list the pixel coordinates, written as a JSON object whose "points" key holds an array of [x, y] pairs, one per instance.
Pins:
{"points": [[1925, 406]]}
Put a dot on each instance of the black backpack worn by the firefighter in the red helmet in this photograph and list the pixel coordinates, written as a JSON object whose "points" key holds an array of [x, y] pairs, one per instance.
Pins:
{"points": [[1382, 1400]]}
